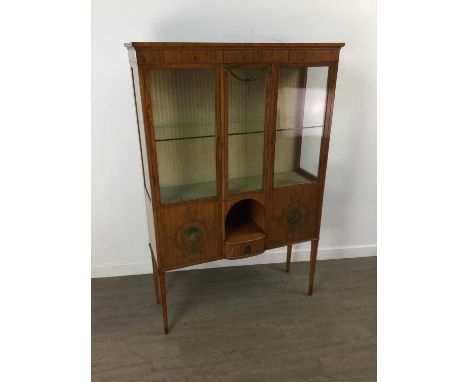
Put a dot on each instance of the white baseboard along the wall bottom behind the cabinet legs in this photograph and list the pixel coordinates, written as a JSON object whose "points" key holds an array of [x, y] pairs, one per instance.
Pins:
{"points": [[269, 257]]}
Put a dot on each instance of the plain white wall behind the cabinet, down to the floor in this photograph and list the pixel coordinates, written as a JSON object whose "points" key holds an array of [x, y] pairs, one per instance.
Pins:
{"points": [[119, 234]]}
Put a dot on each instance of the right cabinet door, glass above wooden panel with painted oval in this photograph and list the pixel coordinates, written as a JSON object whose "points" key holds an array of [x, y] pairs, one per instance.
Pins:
{"points": [[299, 126]]}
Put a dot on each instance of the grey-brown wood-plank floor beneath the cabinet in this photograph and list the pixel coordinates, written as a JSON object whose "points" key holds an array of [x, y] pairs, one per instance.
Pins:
{"points": [[248, 323]]}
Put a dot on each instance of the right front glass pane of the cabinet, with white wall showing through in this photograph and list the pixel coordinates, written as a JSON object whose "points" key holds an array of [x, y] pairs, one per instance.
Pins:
{"points": [[302, 94]]}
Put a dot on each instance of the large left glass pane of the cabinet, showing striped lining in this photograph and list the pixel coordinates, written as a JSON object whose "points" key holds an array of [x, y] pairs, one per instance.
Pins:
{"points": [[183, 105]]}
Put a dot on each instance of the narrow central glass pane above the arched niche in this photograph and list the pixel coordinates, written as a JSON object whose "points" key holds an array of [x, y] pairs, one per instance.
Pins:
{"points": [[246, 124]]}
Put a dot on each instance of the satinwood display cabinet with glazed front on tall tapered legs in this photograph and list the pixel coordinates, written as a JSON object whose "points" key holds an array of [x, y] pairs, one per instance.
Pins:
{"points": [[234, 143]]}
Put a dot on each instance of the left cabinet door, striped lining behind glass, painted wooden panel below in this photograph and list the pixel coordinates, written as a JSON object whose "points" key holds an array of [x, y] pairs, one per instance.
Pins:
{"points": [[184, 119]]}
